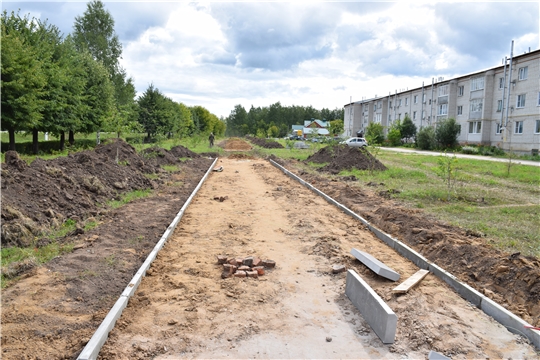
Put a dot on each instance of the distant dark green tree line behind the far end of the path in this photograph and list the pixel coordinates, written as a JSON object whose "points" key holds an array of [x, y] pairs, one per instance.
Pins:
{"points": [[274, 120]]}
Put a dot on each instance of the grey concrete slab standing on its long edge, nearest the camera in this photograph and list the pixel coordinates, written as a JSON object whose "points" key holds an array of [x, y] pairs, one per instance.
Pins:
{"points": [[377, 313]]}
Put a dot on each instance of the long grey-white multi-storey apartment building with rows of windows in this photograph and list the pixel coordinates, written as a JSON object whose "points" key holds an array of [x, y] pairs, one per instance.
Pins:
{"points": [[495, 106]]}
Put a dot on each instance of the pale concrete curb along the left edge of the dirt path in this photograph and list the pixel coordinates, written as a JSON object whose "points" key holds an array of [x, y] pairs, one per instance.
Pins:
{"points": [[92, 348]]}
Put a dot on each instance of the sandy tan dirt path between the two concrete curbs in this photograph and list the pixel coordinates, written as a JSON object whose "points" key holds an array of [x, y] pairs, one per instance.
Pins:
{"points": [[184, 308]]}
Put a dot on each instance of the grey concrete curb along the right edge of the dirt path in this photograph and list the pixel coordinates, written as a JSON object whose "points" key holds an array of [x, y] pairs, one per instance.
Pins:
{"points": [[509, 320]]}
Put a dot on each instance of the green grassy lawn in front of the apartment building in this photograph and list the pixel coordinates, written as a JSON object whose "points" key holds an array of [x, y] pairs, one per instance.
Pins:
{"points": [[505, 207]]}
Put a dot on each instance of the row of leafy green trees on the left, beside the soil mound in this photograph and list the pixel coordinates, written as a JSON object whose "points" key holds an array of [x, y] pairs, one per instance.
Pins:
{"points": [[75, 84]]}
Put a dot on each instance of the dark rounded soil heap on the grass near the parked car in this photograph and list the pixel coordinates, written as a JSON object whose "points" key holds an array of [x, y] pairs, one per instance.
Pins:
{"points": [[342, 157]]}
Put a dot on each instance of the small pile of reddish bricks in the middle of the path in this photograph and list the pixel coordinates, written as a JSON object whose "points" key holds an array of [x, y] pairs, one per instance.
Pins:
{"points": [[251, 266]]}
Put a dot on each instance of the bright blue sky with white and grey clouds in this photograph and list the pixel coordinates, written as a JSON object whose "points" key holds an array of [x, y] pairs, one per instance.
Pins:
{"points": [[219, 54]]}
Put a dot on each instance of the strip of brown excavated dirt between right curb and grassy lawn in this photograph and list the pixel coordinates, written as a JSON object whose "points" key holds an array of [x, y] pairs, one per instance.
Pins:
{"points": [[512, 280]]}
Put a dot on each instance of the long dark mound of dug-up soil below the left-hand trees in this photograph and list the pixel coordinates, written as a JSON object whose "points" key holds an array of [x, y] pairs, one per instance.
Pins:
{"points": [[44, 194]]}
